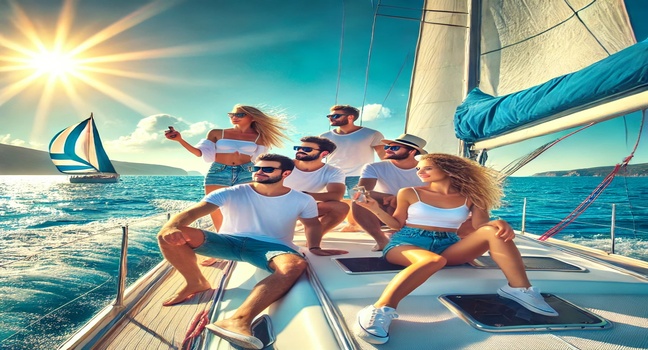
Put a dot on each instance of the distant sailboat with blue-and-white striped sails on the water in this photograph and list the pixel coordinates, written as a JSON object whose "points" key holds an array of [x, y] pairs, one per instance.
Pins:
{"points": [[77, 150]]}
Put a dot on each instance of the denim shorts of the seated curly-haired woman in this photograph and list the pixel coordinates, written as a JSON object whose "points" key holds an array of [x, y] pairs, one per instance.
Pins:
{"points": [[433, 241]]}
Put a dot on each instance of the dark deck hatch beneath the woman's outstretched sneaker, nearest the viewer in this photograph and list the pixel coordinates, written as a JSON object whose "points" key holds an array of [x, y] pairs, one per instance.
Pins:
{"points": [[492, 313]]}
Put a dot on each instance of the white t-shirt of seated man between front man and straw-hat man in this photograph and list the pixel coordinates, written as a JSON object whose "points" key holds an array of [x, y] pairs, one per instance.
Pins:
{"points": [[314, 181]]}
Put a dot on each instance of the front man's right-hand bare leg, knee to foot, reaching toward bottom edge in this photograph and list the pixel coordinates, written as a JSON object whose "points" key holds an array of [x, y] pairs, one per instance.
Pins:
{"points": [[287, 269]]}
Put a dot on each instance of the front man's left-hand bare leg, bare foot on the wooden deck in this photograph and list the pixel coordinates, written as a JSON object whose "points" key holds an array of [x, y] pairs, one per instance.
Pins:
{"points": [[183, 258]]}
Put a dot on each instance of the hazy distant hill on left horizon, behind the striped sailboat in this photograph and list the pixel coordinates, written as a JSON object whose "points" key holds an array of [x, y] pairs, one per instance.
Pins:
{"points": [[16, 160]]}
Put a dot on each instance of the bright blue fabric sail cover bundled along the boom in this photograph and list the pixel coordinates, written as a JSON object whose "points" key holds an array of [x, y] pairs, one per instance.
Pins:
{"points": [[482, 116]]}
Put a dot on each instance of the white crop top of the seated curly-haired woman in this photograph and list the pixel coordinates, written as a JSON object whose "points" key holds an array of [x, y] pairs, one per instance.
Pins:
{"points": [[423, 214]]}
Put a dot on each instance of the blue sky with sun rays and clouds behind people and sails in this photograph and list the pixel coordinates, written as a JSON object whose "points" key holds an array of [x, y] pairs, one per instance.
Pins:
{"points": [[150, 64]]}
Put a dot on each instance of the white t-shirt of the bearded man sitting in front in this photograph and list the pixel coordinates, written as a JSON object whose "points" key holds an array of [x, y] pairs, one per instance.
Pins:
{"points": [[247, 213]]}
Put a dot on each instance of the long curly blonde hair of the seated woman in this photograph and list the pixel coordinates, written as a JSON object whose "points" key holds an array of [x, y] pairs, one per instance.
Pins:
{"points": [[482, 185]]}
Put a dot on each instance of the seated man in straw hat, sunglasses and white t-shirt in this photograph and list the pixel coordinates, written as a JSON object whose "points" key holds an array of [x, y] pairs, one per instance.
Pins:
{"points": [[384, 179]]}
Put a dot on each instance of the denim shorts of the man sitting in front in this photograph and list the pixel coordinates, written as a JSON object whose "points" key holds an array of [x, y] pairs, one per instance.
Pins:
{"points": [[253, 251]]}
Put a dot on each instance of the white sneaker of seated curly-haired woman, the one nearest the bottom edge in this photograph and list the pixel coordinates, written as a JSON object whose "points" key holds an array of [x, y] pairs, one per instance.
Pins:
{"points": [[373, 324]]}
